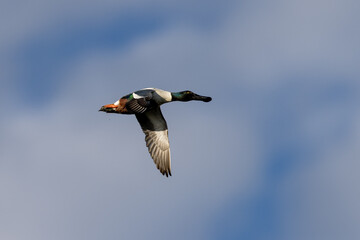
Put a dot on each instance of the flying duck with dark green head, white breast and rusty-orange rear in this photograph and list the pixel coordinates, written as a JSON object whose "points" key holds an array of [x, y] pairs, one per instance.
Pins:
{"points": [[145, 105]]}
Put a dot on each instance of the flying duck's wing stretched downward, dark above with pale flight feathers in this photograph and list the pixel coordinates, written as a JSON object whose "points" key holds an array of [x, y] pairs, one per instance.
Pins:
{"points": [[154, 126]]}
